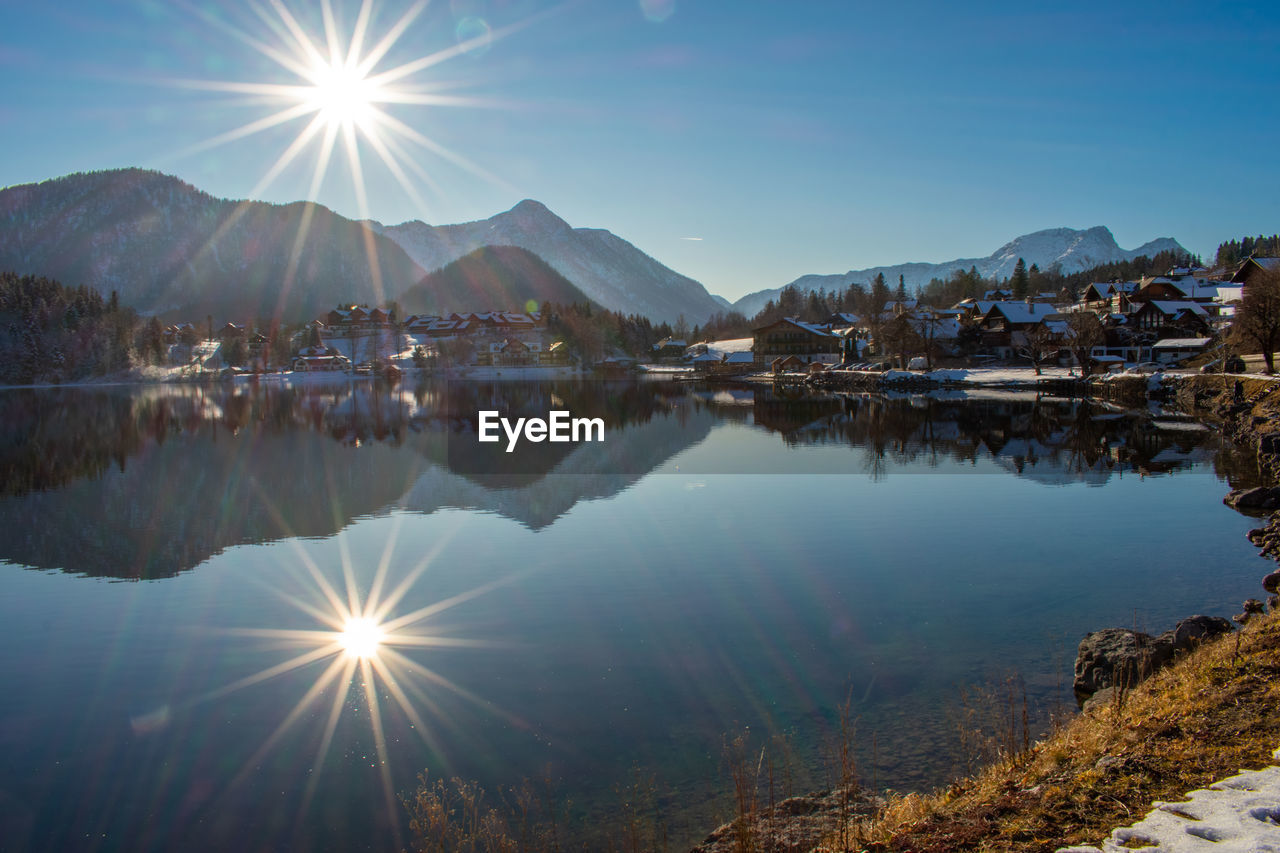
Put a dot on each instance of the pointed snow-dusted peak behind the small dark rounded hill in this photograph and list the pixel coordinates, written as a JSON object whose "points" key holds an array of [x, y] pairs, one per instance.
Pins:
{"points": [[605, 267]]}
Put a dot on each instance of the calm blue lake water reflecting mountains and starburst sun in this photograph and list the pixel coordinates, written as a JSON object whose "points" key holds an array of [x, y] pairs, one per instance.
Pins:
{"points": [[172, 559]]}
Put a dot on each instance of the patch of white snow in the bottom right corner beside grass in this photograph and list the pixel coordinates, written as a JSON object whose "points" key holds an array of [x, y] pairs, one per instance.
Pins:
{"points": [[1236, 815]]}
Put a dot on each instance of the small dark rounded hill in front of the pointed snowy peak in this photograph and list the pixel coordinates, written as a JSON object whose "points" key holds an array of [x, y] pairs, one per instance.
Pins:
{"points": [[492, 279]]}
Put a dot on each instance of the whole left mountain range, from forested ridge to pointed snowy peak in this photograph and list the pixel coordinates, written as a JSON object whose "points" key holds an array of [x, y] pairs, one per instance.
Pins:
{"points": [[170, 249]]}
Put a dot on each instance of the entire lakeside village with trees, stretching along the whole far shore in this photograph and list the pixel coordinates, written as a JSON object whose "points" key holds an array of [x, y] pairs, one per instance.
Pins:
{"points": [[1139, 326]]}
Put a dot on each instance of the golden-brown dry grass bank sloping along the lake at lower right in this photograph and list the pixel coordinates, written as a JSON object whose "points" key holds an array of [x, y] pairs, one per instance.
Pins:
{"points": [[1206, 718]]}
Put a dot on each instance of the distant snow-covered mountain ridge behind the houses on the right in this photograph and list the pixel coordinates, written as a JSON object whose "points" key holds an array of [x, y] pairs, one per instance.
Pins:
{"points": [[1067, 249]]}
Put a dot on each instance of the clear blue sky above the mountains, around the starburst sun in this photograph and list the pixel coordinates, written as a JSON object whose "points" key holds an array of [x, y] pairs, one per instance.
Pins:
{"points": [[787, 136]]}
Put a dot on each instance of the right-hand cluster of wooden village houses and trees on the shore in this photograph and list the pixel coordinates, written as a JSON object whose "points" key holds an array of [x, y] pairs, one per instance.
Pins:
{"points": [[1141, 326]]}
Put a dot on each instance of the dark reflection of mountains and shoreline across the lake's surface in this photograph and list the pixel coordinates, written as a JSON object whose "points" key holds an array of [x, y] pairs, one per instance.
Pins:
{"points": [[149, 483]]}
